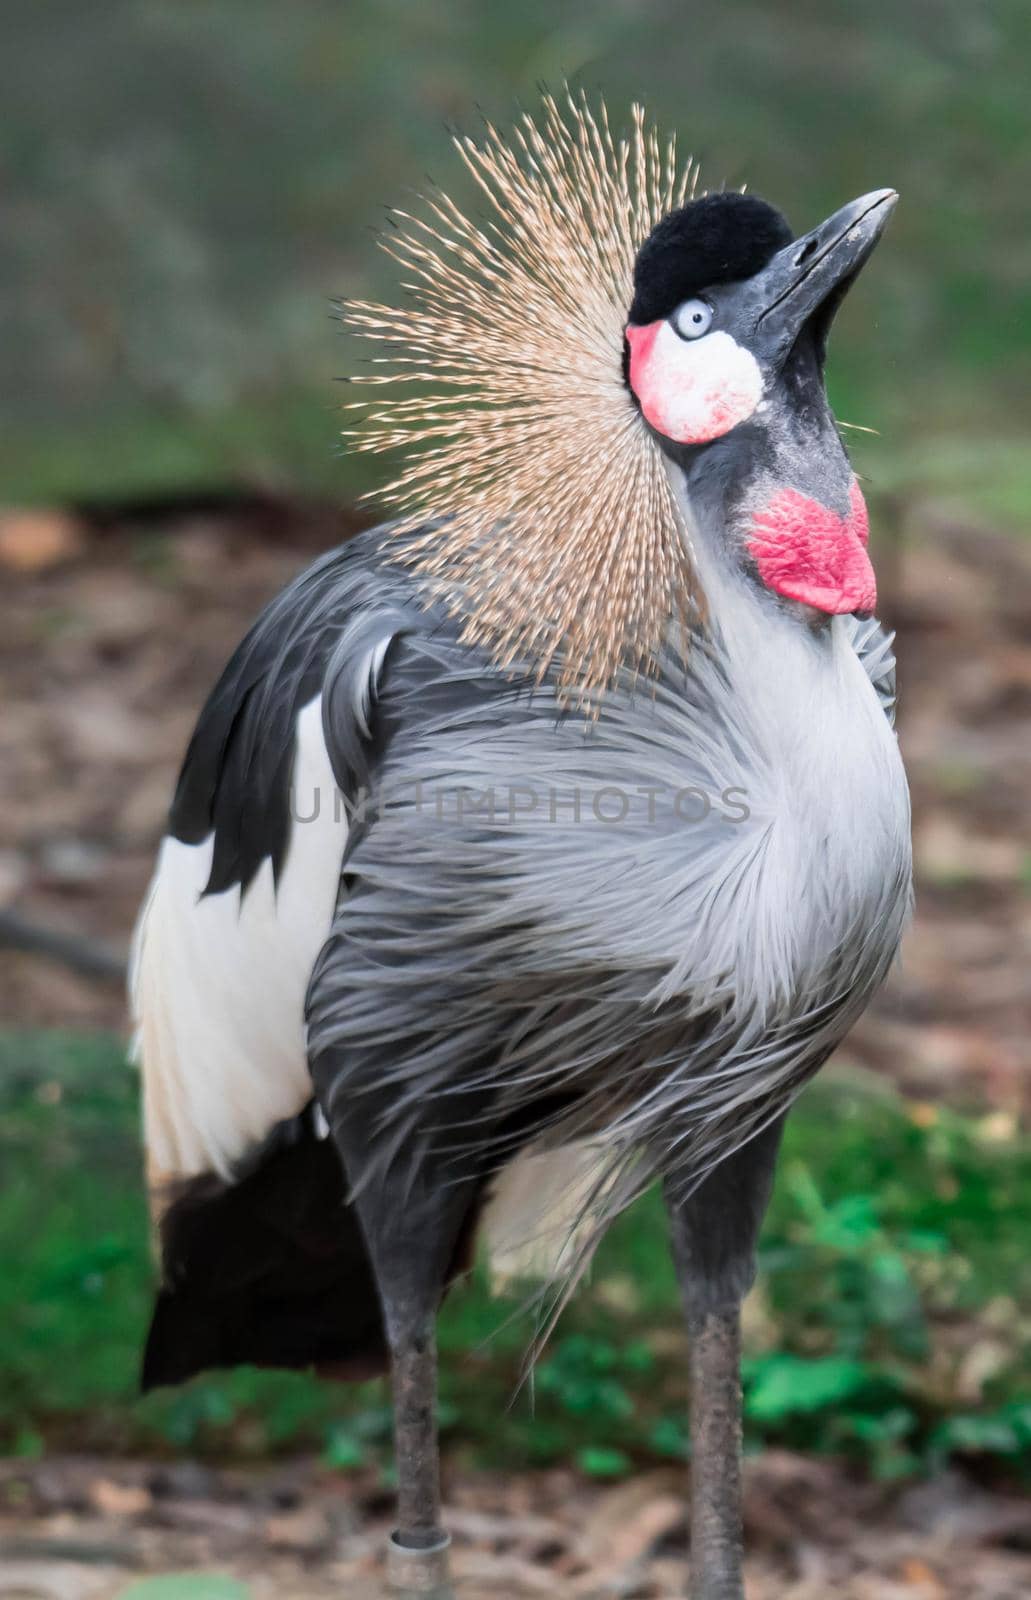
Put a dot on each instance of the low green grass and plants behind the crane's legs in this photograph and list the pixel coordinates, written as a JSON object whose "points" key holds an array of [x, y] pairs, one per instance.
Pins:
{"points": [[893, 1322]]}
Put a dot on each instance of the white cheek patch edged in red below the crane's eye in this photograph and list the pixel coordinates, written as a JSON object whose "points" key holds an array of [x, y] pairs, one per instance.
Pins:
{"points": [[692, 390]]}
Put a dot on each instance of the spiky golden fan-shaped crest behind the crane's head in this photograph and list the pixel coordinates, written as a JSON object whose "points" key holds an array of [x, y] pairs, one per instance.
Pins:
{"points": [[558, 535]]}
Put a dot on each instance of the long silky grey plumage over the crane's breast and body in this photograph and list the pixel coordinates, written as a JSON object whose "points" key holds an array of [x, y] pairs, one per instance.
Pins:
{"points": [[668, 922]]}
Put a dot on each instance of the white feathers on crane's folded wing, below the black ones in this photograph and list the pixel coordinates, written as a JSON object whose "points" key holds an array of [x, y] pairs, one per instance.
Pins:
{"points": [[219, 985]]}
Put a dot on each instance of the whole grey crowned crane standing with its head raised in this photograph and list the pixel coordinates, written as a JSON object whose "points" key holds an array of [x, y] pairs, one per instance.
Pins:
{"points": [[544, 842]]}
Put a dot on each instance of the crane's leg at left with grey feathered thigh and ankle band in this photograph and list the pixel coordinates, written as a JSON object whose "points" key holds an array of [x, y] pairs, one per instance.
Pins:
{"points": [[412, 1138]]}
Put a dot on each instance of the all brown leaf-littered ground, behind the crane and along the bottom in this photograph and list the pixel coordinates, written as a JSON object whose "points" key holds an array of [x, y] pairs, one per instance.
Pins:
{"points": [[113, 630]]}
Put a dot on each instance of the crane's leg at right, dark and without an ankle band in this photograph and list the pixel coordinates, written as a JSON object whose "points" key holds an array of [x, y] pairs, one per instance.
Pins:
{"points": [[715, 1233]]}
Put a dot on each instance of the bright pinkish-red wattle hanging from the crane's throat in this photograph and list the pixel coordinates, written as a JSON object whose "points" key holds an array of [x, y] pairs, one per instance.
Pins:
{"points": [[808, 553]]}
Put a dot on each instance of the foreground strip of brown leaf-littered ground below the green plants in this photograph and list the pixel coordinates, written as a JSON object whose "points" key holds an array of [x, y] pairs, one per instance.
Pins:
{"points": [[86, 1530]]}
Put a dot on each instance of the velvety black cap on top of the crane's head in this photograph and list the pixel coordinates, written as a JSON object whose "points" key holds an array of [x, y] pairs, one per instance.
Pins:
{"points": [[720, 239]]}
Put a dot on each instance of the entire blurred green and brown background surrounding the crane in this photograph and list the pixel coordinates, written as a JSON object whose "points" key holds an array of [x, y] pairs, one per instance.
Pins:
{"points": [[187, 186]]}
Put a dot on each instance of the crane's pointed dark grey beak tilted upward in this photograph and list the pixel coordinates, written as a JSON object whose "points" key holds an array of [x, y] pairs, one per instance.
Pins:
{"points": [[816, 273]]}
